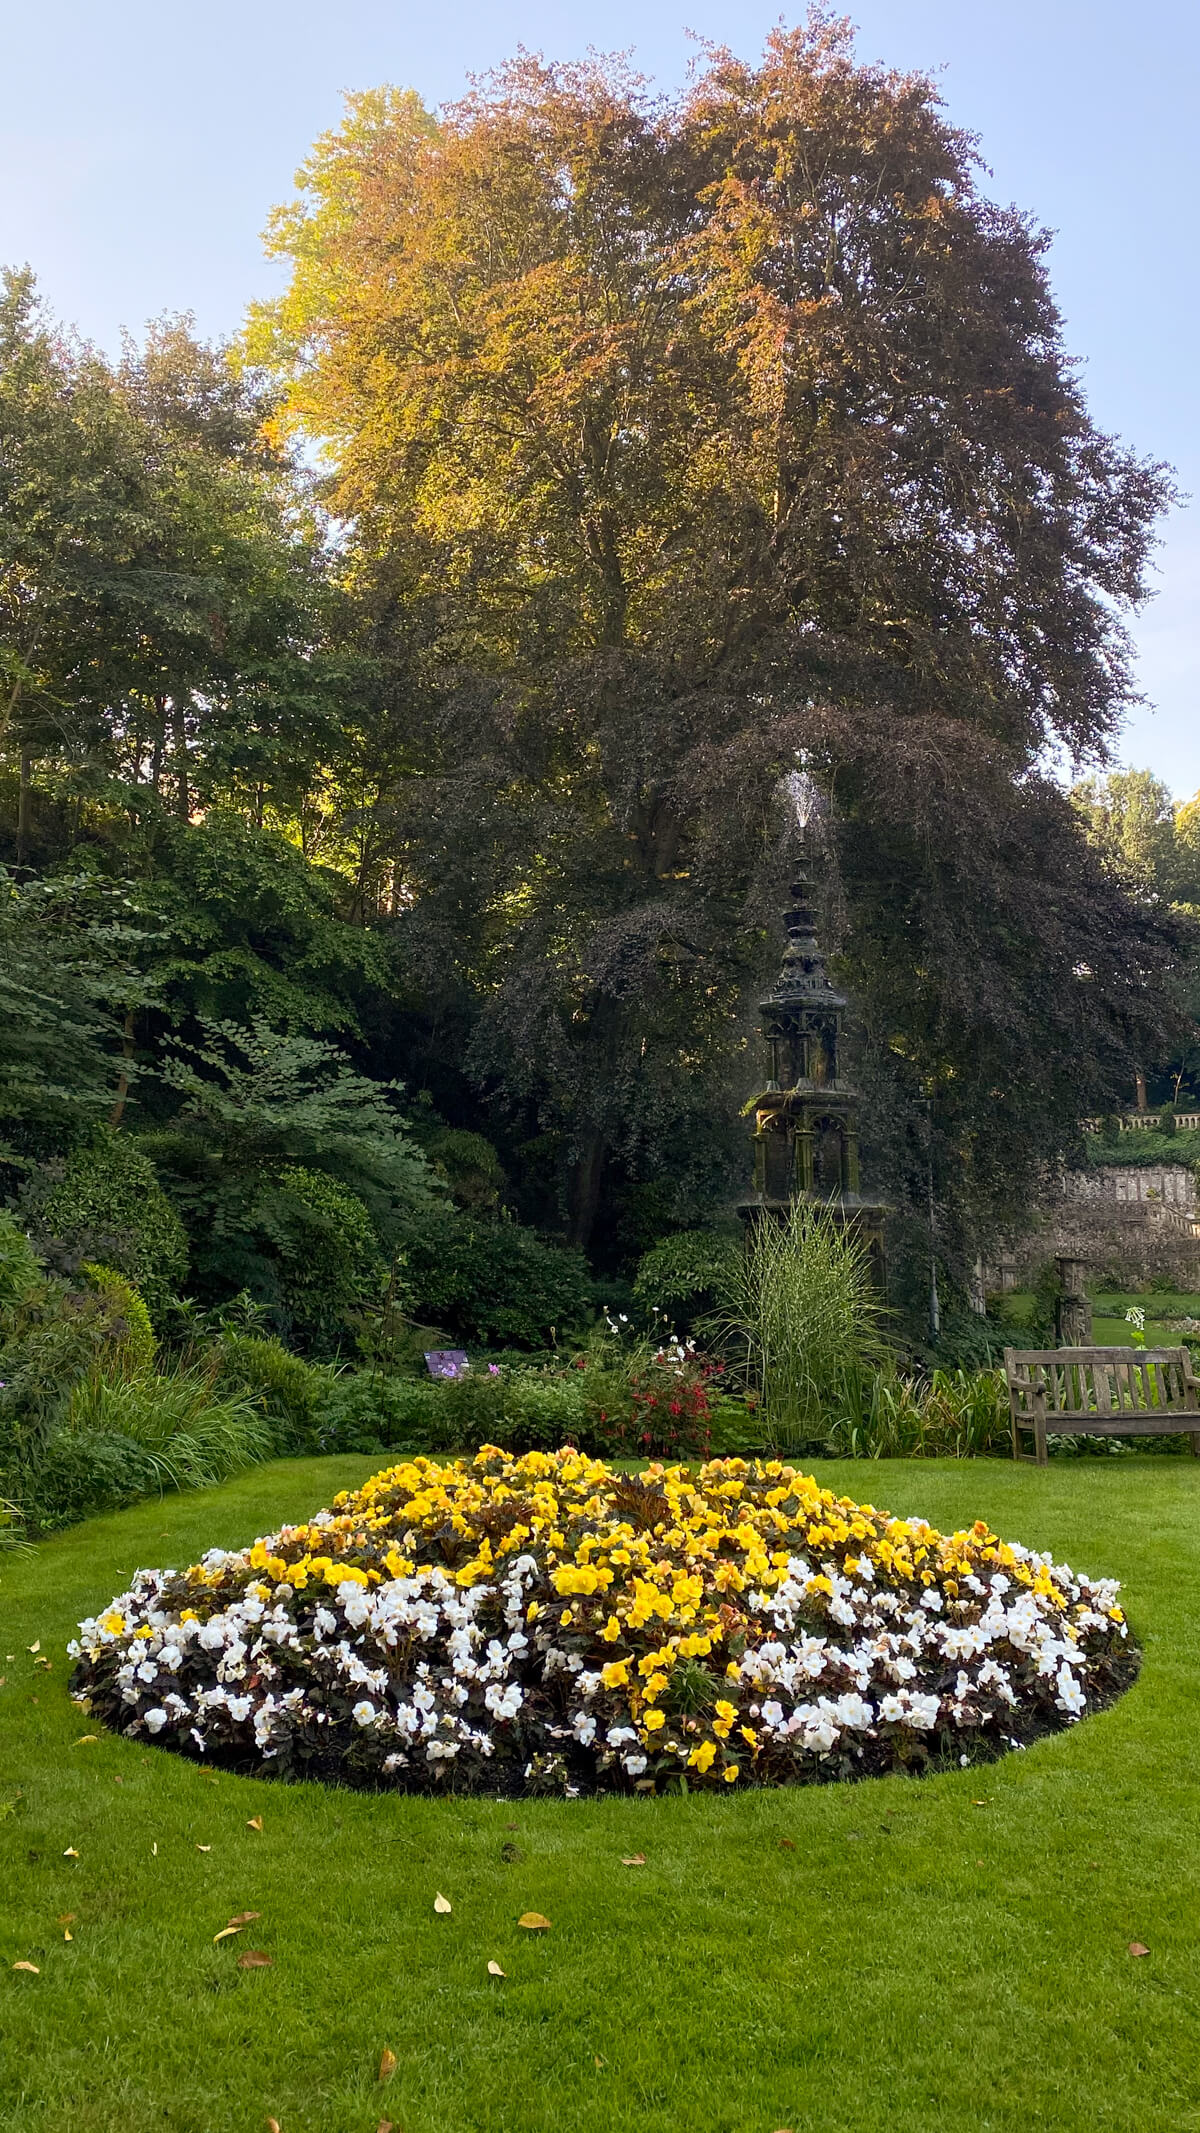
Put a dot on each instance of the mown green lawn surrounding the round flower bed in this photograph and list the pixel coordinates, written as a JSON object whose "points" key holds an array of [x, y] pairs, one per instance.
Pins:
{"points": [[896, 1957]]}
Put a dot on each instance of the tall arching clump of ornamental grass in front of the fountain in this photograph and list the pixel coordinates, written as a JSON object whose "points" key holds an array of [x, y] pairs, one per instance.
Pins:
{"points": [[802, 1313]]}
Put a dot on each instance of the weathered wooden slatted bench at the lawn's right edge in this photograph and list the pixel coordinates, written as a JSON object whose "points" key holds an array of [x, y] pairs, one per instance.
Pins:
{"points": [[1101, 1394]]}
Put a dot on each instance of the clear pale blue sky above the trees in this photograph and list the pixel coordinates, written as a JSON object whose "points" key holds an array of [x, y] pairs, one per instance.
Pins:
{"points": [[144, 144]]}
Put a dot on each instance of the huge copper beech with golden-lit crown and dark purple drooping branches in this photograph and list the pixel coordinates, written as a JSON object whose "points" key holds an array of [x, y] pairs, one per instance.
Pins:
{"points": [[670, 438]]}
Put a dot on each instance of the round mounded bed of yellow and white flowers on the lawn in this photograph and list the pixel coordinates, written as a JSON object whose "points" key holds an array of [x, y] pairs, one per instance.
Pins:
{"points": [[547, 1624]]}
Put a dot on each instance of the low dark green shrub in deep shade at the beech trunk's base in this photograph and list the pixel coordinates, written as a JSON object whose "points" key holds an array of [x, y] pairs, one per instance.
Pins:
{"points": [[491, 1281]]}
